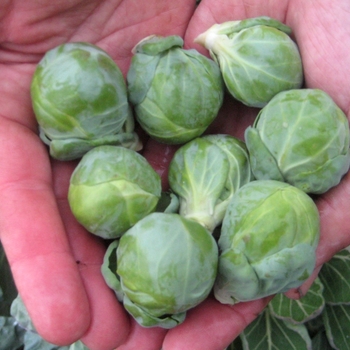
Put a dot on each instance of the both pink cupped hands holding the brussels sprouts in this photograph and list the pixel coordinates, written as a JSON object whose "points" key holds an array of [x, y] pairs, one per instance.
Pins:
{"points": [[56, 264]]}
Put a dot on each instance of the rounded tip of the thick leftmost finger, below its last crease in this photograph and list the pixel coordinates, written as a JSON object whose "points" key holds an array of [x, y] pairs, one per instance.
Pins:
{"points": [[54, 296]]}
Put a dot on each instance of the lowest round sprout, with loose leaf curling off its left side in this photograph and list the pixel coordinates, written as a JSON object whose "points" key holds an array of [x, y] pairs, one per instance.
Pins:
{"points": [[162, 267]]}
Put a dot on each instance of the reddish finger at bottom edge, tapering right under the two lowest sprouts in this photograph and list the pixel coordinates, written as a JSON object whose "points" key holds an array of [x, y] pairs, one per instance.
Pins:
{"points": [[213, 326]]}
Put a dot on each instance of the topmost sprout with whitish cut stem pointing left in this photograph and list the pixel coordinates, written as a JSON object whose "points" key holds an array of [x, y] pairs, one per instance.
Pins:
{"points": [[256, 56]]}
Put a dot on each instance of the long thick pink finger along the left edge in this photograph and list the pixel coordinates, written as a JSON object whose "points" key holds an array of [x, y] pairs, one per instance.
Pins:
{"points": [[34, 239]]}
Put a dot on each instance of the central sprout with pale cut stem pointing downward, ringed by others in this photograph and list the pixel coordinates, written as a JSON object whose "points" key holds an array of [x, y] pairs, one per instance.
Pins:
{"points": [[205, 173]]}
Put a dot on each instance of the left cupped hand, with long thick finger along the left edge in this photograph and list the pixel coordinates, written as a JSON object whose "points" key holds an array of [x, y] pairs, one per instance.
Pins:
{"points": [[55, 263]]}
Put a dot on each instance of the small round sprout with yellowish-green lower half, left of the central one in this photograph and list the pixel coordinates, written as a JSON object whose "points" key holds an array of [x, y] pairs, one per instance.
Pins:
{"points": [[111, 189]]}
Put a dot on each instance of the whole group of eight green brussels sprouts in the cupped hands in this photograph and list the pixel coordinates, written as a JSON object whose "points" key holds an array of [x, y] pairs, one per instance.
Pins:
{"points": [[238, 219]]}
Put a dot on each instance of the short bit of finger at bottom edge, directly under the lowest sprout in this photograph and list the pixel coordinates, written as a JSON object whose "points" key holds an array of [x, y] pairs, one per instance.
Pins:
{"points": [[144, 338]]}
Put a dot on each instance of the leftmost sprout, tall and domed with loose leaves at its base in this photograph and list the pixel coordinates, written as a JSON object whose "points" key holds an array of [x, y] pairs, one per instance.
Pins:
{"points": [[79, 98]]}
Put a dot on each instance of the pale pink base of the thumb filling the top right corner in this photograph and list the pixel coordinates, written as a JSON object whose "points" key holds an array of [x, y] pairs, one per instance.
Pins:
{"points": [[324, 45]]}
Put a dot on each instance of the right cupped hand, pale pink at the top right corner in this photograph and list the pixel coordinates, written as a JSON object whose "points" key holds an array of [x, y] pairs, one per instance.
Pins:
{"points": [[321, 31]]}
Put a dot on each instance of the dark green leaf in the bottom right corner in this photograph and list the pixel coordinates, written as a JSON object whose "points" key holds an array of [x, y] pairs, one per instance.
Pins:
{"points": [[337, 323]]}
